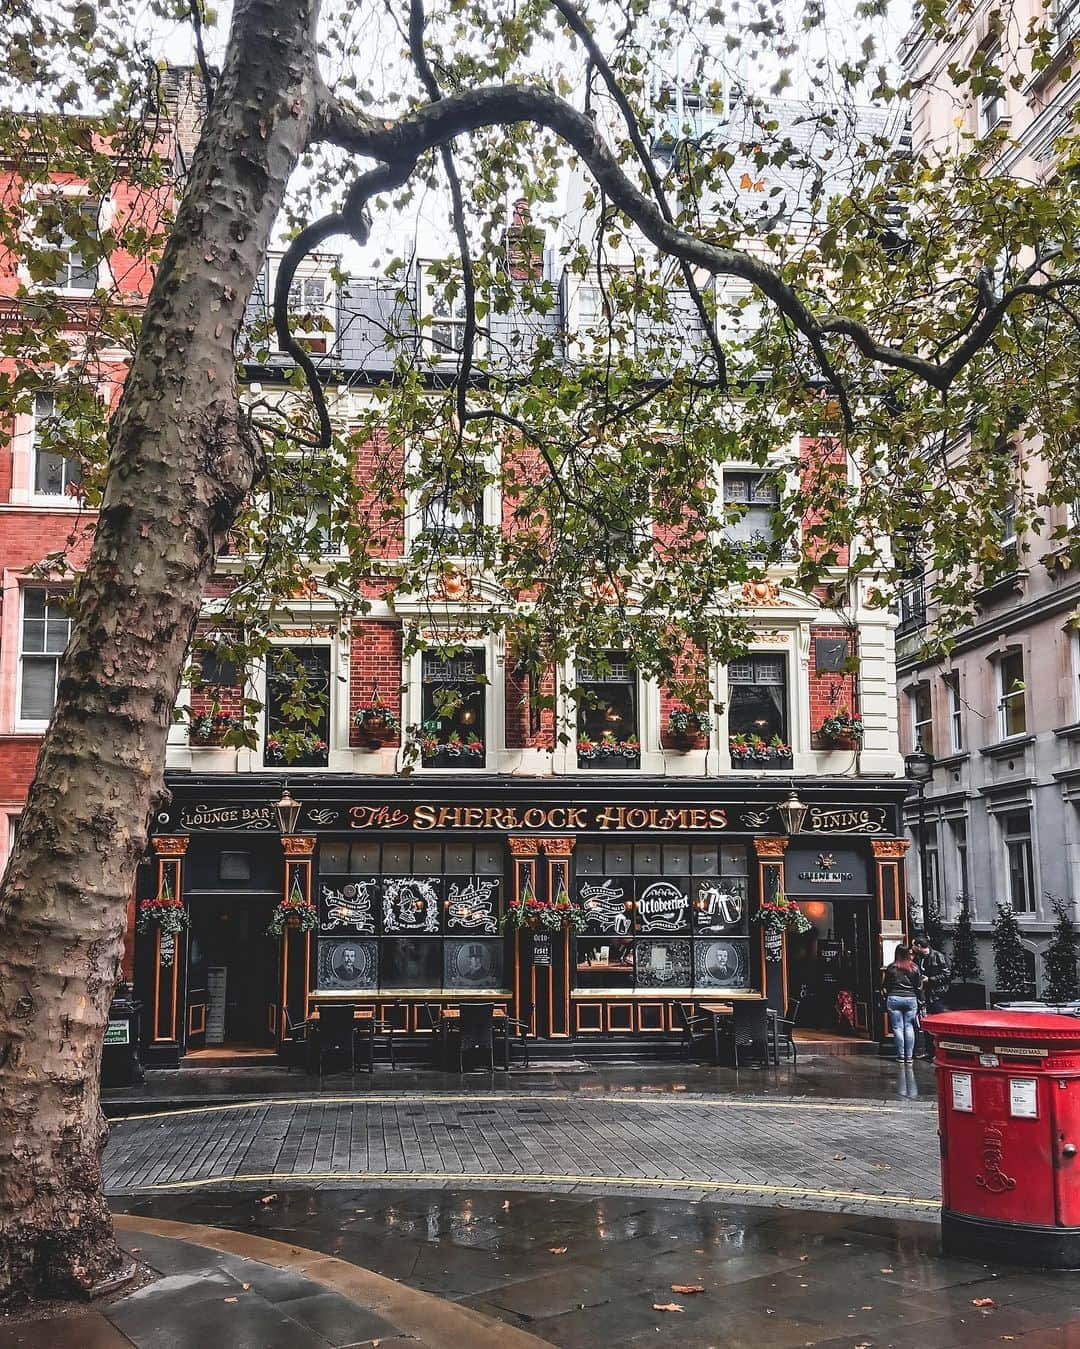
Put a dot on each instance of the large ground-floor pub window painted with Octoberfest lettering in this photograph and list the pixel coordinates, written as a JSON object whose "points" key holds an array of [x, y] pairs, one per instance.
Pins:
{"points": [[664, 917]]}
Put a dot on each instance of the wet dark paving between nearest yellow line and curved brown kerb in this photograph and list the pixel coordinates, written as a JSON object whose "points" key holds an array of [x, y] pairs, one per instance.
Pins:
{"points": [[590, 1271]]}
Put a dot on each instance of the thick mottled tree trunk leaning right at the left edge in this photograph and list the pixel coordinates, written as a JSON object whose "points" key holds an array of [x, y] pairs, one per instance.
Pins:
{"points": [[181, 462]]}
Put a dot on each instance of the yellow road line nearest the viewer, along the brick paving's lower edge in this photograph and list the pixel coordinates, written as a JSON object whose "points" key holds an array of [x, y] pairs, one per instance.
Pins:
{"points": [[514, 1178]]}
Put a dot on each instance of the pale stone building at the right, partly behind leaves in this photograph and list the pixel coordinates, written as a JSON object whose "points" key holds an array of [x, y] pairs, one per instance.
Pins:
{"points": [[1001, 714]]}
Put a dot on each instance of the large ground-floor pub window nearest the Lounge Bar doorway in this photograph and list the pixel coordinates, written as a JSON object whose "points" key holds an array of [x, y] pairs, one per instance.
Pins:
{"points": [[411, 917]]}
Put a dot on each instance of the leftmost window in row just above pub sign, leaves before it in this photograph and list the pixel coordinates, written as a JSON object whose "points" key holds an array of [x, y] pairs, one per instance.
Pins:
{"points": [[297, 708]]}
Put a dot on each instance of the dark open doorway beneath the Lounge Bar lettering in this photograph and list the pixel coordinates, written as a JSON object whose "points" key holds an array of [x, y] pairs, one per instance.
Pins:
{"points": [[234, 973]]}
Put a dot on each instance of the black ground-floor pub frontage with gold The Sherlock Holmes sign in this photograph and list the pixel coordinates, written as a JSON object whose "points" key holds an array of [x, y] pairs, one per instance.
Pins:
{"points": [[412, 880]]}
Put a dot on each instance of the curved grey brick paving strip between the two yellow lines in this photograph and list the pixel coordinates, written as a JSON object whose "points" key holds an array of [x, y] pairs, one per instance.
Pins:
{"points": [[874, 1158]]}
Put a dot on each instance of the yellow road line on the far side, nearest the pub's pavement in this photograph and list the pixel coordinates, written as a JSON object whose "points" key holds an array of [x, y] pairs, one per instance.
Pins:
{"points": [[415, 1099]]}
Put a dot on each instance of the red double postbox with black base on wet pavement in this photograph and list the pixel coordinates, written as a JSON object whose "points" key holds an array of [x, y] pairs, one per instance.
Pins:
{"points": [[1009, 1110]]}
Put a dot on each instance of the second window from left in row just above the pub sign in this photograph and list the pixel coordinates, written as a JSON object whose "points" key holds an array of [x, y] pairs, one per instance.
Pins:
{"points": [[454, 709]]}
